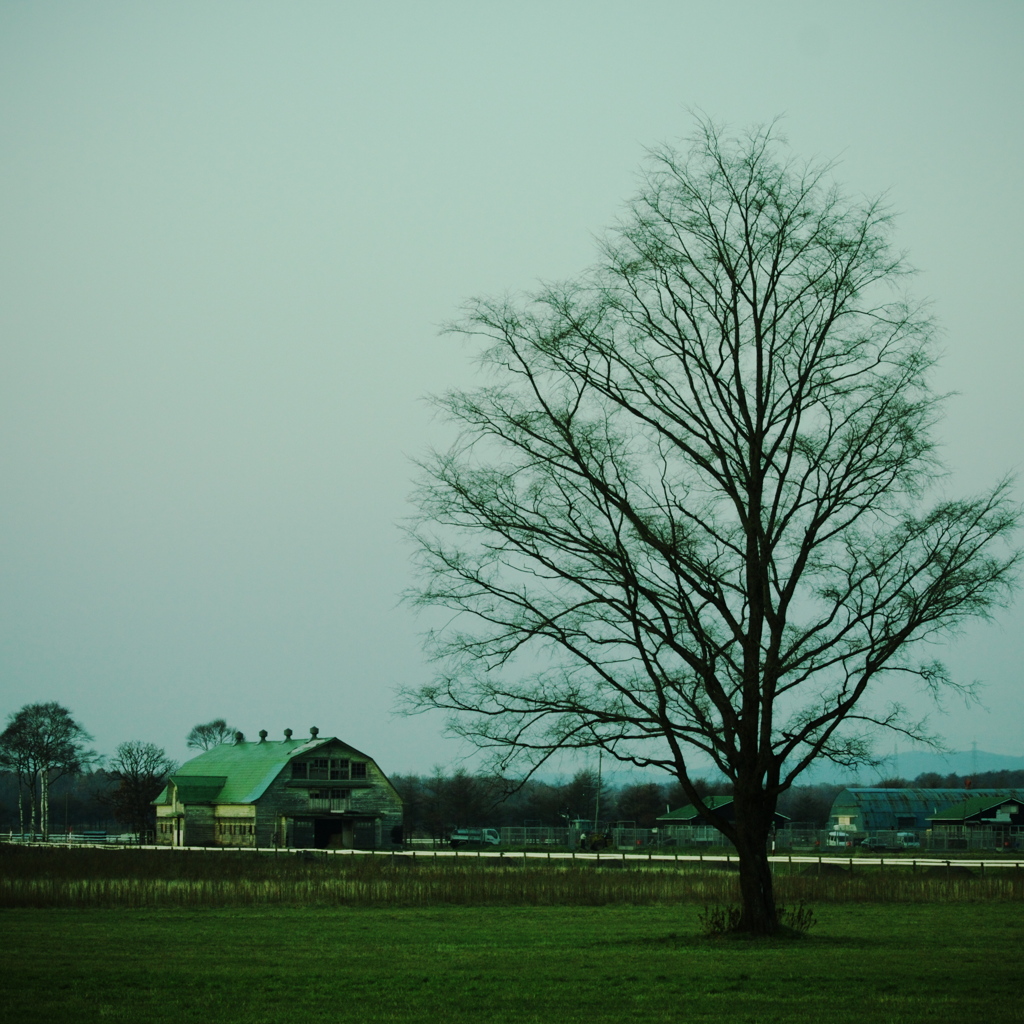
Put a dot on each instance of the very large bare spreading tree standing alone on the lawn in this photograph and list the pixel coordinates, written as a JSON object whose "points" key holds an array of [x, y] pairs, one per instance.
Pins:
{"points": [[691, 516]]}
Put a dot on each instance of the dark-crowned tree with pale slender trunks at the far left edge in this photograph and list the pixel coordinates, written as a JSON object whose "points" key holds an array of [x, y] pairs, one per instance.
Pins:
{"points": [[41, 744]]}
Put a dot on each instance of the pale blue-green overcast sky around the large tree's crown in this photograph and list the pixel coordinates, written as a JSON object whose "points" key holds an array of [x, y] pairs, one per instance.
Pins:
{"points": [[230, 231]]}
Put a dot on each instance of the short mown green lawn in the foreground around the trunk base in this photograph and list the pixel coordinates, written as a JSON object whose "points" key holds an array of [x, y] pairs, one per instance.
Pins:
{"points": [[889, 964]]}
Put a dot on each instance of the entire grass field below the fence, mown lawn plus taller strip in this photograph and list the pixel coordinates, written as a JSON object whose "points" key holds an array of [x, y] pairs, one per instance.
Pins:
{"points": [[210, 937]]}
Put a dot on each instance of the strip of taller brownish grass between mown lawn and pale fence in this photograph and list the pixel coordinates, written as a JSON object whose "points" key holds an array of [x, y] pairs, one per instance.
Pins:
{"points": [[96, 879]]}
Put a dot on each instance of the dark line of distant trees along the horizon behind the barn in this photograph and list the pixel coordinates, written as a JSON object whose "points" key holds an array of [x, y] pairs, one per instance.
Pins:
{"points": [[49, 773]]}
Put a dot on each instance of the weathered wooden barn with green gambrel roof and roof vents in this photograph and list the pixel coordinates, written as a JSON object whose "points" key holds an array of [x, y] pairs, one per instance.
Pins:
{"points": [[316, 793]]}
